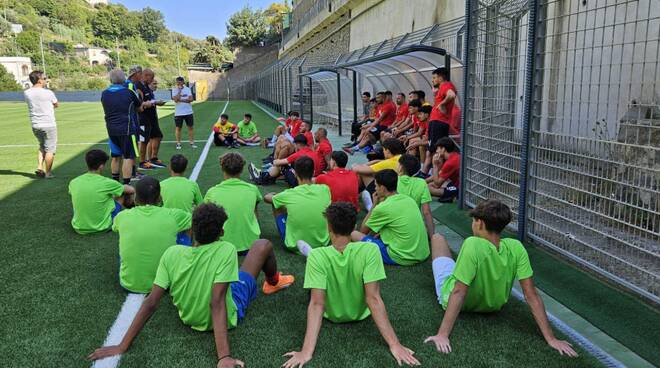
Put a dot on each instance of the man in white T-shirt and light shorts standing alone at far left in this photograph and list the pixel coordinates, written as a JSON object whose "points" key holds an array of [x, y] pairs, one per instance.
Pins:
{"points": [[41, 104]]}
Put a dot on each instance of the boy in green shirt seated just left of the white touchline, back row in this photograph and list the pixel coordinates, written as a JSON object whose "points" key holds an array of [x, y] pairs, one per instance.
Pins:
{"points": [[180, 192]]}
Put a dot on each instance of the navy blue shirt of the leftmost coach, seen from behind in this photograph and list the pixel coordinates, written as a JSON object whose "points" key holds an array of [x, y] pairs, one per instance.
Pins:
{"points": [[120, 107]]}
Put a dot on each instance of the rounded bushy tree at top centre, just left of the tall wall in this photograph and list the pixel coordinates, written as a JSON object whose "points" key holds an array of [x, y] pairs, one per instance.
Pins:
{"points": [[246, 28]]}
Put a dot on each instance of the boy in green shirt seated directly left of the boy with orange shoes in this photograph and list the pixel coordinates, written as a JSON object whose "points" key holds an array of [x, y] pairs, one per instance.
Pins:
{"points": [[145, 232]]}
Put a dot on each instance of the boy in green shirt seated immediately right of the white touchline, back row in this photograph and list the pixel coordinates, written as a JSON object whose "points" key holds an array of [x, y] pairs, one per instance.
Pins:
{"points": [[239, 199]]}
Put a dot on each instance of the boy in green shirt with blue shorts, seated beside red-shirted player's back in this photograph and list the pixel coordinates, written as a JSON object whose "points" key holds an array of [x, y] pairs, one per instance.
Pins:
{"points": [[299, 211]]}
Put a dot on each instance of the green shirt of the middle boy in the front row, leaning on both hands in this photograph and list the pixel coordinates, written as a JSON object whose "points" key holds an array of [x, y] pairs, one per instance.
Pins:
{"points": [[343, 276]]}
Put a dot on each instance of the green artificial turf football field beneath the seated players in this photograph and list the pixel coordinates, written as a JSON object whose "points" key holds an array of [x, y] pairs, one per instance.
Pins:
{"points": [[61, 294]]}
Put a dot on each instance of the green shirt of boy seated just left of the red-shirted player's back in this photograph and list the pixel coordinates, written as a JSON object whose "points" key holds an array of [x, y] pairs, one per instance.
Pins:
{"points": [[305, 205]]}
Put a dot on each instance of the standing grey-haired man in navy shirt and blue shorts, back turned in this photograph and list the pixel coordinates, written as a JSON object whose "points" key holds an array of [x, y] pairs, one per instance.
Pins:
{"points": [[121, 106]]}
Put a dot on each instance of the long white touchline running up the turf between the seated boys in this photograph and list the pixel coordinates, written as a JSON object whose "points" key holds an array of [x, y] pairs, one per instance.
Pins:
{"points": [[134, 301]]}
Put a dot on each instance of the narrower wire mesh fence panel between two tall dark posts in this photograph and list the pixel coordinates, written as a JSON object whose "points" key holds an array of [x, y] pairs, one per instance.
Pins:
{"points": [[492, 149]]}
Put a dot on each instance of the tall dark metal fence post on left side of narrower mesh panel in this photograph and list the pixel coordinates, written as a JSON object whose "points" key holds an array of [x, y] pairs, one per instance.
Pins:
{"points": [[464, 114]]}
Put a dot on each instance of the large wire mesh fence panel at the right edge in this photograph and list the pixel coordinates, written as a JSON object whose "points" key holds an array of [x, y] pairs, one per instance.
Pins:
{"points": [[595, 156]]}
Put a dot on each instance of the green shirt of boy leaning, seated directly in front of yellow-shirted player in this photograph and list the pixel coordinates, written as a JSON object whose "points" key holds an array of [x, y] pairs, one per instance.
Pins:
{"points": [[399, 222]]}
